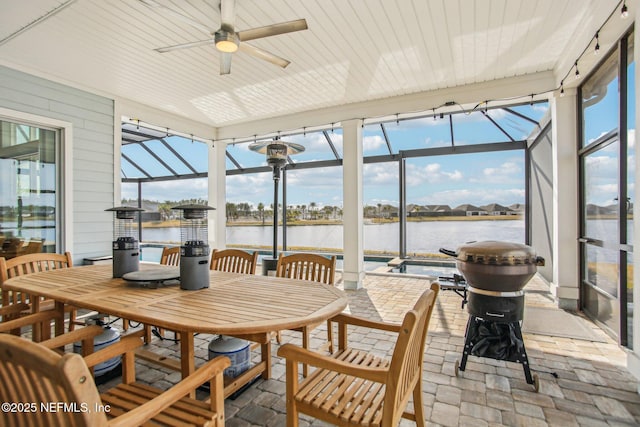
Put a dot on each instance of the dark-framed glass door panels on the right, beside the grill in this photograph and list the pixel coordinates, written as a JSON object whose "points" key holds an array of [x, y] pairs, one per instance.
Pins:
{"points": [[607, 177]]}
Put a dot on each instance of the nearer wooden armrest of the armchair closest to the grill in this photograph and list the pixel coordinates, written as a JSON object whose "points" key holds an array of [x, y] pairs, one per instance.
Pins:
{"points": [[299, 354]]}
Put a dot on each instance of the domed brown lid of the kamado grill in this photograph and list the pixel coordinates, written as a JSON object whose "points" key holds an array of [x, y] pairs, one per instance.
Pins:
{"points": [[492, 252]]}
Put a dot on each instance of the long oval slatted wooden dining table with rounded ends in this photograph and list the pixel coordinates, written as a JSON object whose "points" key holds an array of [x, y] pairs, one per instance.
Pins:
{"points": [[245, 306]]}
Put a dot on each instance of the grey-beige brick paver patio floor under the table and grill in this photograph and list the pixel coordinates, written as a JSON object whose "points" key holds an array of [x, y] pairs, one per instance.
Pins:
{"points": [[582, 383]]}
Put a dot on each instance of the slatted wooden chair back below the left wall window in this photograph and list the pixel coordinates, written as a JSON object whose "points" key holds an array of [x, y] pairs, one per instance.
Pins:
{"points": [[29, 264]]}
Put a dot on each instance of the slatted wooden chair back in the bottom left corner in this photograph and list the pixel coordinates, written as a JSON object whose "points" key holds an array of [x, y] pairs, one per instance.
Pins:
{"points": [[35, 374]]}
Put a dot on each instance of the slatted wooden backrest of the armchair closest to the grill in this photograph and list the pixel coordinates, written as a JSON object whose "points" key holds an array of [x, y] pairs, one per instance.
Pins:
{"points": [[405, 369]]}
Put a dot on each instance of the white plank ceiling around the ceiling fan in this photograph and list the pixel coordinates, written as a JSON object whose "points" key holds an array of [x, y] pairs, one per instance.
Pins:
{"points": [[354, 51]]}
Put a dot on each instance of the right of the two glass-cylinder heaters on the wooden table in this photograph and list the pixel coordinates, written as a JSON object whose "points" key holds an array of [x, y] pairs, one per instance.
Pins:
{"points": [[194, 248]]}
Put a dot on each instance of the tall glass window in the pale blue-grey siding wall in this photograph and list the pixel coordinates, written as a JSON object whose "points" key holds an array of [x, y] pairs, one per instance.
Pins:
{"points": [[29, 189]]}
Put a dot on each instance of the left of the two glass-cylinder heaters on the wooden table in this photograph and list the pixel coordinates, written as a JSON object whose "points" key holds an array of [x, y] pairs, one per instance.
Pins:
{"points": [[126, 253]]}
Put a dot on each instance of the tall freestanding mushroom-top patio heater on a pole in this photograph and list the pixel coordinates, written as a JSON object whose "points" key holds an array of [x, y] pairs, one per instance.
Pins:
{"points": [[277, 153]]}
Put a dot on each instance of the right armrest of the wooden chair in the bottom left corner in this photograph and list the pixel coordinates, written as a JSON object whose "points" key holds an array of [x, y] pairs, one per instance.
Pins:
{"points": [[148, 410]]}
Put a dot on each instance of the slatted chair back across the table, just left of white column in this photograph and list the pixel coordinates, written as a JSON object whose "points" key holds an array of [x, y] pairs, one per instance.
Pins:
{"points": [[312, 267]]}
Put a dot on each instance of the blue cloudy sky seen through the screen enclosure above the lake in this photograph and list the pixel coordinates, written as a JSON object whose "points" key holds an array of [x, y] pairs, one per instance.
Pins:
{"points": [[478, 179]]}
